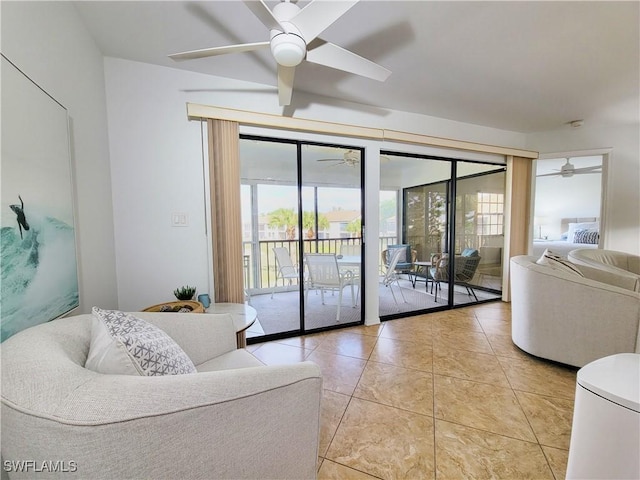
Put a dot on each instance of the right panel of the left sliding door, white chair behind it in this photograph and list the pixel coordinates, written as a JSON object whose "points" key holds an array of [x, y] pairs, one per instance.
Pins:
{"points": [[332, 217]]}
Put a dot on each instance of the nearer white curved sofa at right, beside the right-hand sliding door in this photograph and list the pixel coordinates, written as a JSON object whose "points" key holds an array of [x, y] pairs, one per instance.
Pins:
{"points": [[570, 319]]}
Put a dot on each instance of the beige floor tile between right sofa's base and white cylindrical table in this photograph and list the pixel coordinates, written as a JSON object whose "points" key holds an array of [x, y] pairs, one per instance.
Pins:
{"points": [[530, 374]]}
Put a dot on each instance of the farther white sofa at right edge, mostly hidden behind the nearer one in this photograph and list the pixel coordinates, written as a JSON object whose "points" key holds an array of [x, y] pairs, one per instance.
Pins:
{"points": [[624, 264]]}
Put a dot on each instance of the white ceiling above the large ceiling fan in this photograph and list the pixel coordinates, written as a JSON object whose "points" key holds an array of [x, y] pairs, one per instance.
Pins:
{"points": [[521, 66]]}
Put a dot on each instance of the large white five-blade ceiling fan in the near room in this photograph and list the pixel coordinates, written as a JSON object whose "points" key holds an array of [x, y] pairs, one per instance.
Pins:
{"points": [[294, 37]]}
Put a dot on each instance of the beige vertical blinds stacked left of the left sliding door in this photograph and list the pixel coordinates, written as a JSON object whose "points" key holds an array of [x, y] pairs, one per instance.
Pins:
{"points": [[226, 224]]}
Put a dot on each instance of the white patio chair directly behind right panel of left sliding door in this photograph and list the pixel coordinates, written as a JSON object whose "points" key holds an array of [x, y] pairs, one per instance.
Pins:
{"points": [[324, 274]]}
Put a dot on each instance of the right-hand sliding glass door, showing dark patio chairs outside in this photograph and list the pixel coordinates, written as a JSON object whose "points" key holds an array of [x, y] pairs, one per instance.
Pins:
{"points": [[451, 220]]}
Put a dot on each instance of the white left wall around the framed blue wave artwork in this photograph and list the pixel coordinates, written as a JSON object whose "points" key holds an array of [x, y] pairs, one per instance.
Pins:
{"points": [[49, 43]]}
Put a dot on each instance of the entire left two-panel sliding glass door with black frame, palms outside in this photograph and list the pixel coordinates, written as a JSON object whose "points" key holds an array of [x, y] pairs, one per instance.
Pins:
{"points": [[298, 199]]}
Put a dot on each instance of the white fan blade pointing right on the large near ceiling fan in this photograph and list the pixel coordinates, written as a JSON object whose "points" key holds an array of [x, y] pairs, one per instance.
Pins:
{"points": [[331, 55]]}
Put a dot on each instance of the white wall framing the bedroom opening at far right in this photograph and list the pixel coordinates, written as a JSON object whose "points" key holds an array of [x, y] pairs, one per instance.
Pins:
{"points": [[622, 215]]}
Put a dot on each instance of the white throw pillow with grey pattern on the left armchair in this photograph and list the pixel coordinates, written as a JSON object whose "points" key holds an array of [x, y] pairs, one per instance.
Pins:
{"points": [[122, 344]]}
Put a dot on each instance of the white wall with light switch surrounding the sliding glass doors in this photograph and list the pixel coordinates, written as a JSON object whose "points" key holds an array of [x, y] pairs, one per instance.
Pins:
{"points": [[157, 165]]}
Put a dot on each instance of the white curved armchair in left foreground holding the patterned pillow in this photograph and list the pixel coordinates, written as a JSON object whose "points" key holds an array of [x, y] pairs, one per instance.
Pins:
{"points": [[235, 418]]}
